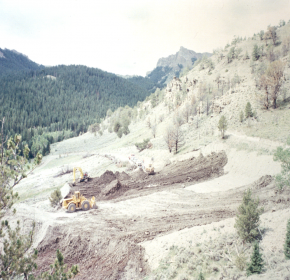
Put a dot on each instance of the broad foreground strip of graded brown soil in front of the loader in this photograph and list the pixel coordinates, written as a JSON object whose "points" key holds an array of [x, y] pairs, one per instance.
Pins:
{"points": [[105, 243]]}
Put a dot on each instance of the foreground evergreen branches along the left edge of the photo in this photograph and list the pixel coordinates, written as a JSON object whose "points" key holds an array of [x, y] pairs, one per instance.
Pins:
{"points": [[15, 259]]}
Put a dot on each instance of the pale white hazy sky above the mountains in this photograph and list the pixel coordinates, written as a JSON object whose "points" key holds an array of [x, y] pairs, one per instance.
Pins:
{"points": [[128, 37]]}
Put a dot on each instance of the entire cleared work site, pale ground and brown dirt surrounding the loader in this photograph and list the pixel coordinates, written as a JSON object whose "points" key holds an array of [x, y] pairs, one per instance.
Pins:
{"points": [[127, 236]]}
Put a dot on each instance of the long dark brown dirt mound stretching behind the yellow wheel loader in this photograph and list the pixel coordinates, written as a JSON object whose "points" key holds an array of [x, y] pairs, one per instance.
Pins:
{"points": [[121, 185]]}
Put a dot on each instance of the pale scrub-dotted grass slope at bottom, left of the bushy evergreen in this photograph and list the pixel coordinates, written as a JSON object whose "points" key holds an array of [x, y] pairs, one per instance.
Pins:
{"points": [[226, 255]]}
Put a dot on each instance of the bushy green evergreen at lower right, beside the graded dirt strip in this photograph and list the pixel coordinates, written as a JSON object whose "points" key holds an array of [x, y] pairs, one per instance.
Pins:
{"points": [[248, 218]]}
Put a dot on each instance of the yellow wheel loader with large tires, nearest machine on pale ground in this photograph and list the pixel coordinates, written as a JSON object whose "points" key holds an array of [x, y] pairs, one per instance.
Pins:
{"points": [[77, 201]]}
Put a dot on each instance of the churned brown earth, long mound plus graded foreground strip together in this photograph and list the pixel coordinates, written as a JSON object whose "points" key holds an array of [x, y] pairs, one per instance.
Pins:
{"points": [[105, 242]]}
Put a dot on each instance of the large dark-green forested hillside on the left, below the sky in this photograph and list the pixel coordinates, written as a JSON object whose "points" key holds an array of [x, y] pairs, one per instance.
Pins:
{"points": [[58, 102]]}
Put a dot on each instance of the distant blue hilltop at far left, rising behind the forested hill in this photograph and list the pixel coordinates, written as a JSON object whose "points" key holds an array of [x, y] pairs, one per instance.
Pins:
{"points": [[11, 61]]}
